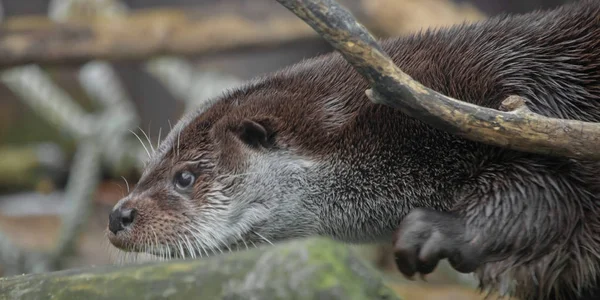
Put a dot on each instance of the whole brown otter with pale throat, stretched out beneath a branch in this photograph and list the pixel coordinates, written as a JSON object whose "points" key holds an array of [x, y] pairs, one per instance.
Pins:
{"points": [[303, 152]]}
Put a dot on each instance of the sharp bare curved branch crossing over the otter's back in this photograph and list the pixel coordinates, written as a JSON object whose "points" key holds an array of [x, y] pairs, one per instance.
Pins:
{"points": [[518, 129]]}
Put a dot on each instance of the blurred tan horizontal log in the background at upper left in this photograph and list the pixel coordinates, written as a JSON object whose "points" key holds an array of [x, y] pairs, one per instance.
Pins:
{"points": [[140, 35]]}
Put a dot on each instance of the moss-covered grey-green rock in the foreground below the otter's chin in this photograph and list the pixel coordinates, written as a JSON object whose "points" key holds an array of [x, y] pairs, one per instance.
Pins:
{"points": [[313, 268]]}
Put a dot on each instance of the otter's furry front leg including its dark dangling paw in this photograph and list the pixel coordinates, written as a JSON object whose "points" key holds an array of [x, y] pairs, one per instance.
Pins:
{"points": [[526, 231]]}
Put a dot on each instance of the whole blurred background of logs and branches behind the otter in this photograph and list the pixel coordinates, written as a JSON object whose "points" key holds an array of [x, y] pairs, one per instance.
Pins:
{"points": [[85, 82]]}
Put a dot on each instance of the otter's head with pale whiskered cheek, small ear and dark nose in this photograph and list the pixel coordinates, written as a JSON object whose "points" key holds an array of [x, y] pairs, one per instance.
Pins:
{"points": [[223, 178]]}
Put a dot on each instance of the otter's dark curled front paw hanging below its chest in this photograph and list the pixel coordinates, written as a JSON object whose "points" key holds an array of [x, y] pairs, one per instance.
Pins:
{"points": [[426, 236]]}
